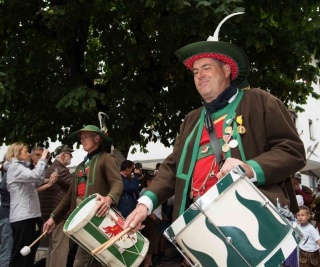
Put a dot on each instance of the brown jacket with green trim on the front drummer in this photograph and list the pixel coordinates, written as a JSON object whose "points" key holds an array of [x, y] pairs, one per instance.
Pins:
{"points": [[270, 145]]}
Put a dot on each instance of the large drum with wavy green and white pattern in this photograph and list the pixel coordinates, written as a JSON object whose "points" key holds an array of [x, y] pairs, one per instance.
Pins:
{"points": [[233, 224]]}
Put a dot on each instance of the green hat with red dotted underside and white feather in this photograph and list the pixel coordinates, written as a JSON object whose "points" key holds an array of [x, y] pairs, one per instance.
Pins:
{"points": [[223, 51]]}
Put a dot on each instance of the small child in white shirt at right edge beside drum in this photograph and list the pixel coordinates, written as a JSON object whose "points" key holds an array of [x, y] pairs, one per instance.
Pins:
{"points": [[309, 247]]}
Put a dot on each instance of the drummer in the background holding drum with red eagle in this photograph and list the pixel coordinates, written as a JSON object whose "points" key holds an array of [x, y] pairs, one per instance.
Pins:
{"points": [[98, 173]]}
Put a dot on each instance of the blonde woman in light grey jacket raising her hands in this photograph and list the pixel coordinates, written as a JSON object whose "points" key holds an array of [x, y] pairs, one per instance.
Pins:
{"points": [[24, 202]]}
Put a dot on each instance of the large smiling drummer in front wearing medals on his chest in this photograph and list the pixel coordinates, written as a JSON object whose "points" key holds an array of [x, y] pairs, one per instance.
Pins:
{"points": [[253, 128]]}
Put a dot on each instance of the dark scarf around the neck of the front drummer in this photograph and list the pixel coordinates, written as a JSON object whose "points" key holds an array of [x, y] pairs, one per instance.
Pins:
{"points": [[222, 100]]}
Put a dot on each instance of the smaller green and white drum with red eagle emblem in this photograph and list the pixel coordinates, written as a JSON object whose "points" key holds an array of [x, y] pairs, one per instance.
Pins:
{"points": [[90, 231]]}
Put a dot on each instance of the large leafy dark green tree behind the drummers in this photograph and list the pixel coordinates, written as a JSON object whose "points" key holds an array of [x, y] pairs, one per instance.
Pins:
{"points": [[64, 61]]}
